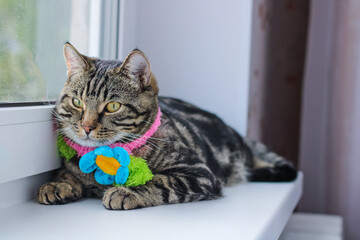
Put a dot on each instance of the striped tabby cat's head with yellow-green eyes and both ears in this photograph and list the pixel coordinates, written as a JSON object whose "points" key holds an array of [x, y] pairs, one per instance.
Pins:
{"points": [[106, 101]]}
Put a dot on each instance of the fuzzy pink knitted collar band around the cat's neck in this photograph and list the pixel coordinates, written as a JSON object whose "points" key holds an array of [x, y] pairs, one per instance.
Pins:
{"points": [[129, 147]]}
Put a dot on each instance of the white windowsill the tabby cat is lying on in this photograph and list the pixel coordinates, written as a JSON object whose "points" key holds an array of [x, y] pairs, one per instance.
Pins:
{"points": [[248, 211]]}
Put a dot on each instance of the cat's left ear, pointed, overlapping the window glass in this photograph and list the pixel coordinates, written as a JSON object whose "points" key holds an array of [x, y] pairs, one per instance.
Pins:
{"points": [[75, 62]]}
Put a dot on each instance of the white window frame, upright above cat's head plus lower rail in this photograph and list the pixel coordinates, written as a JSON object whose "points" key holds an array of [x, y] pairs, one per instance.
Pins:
{"points": [[28, 139]]}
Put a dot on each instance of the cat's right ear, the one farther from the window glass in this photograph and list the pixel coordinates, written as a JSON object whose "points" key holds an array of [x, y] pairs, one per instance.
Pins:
{"points": [[136, 65]]}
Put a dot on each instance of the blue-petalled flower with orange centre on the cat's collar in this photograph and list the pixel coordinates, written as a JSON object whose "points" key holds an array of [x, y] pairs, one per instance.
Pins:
{"points": [[110, 164]]}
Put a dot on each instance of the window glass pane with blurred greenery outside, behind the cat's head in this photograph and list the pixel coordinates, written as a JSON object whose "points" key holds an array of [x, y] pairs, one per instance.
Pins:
{"points": [[32, 34]]}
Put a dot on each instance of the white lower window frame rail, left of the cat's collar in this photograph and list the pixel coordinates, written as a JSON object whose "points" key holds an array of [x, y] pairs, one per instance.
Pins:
{"points": [[27, 142]]}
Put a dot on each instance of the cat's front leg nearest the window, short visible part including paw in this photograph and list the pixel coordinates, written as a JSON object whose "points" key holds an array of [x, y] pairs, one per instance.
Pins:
{"points": [[66, 188]]}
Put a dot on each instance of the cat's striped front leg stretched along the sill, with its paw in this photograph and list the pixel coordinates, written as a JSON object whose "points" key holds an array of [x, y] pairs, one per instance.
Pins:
{"points": [[162, 189]]}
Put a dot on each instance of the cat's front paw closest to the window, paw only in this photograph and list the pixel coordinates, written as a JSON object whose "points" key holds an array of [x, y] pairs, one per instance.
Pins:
{"points": [[56, 193]]}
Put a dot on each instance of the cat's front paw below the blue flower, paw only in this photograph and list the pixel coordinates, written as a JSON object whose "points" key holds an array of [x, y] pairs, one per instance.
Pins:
{"points": [[121, 198]]}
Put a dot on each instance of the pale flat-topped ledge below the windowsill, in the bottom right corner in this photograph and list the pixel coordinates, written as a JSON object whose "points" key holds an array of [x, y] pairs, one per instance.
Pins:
{"points": [[308, 226]]}
